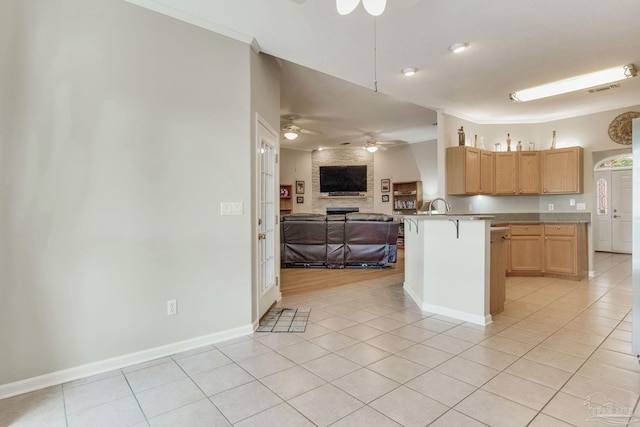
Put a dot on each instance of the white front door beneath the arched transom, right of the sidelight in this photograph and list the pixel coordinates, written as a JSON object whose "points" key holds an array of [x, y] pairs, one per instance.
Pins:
{"points": [[621, 215]]}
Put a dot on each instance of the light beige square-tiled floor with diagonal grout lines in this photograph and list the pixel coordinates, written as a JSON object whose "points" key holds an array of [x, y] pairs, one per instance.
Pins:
{"points": [[370, 357]]}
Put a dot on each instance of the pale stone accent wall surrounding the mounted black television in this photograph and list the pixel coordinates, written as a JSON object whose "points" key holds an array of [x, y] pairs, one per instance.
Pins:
{"points": [[341, 157]]}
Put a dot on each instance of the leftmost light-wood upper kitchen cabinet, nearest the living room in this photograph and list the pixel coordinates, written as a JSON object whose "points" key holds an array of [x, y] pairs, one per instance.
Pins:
{"points": [[463, 170]]}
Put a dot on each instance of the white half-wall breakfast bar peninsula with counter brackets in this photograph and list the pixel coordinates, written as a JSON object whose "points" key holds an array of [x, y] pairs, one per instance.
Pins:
{"points": [[447, 264]]}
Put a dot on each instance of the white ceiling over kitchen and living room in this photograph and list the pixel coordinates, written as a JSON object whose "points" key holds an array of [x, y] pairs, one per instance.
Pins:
{"points": [[329, 65]]}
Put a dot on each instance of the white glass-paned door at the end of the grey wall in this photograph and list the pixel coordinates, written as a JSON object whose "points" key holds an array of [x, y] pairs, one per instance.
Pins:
{"points": [[268, 290]]}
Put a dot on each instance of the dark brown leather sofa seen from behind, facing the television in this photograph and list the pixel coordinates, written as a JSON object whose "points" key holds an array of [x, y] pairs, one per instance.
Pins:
{"points": [[338, 241]]}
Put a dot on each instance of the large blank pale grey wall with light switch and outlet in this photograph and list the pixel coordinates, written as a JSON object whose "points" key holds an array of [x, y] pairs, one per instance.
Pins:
{"points": [[123, 132]]}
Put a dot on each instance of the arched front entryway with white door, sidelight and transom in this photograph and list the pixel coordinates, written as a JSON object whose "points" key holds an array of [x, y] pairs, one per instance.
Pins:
{"points": [[613, 202]]}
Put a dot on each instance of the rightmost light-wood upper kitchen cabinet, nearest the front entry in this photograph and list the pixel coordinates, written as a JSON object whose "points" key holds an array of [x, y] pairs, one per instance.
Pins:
{"points": [[562, 171]]}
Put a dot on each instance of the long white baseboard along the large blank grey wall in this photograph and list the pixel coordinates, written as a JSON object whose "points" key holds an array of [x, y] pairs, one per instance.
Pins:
{"points": [[66, 375]]}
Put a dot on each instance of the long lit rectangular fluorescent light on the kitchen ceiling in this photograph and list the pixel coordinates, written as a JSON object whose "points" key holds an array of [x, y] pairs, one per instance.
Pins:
{"points": [[573, 84]]}
